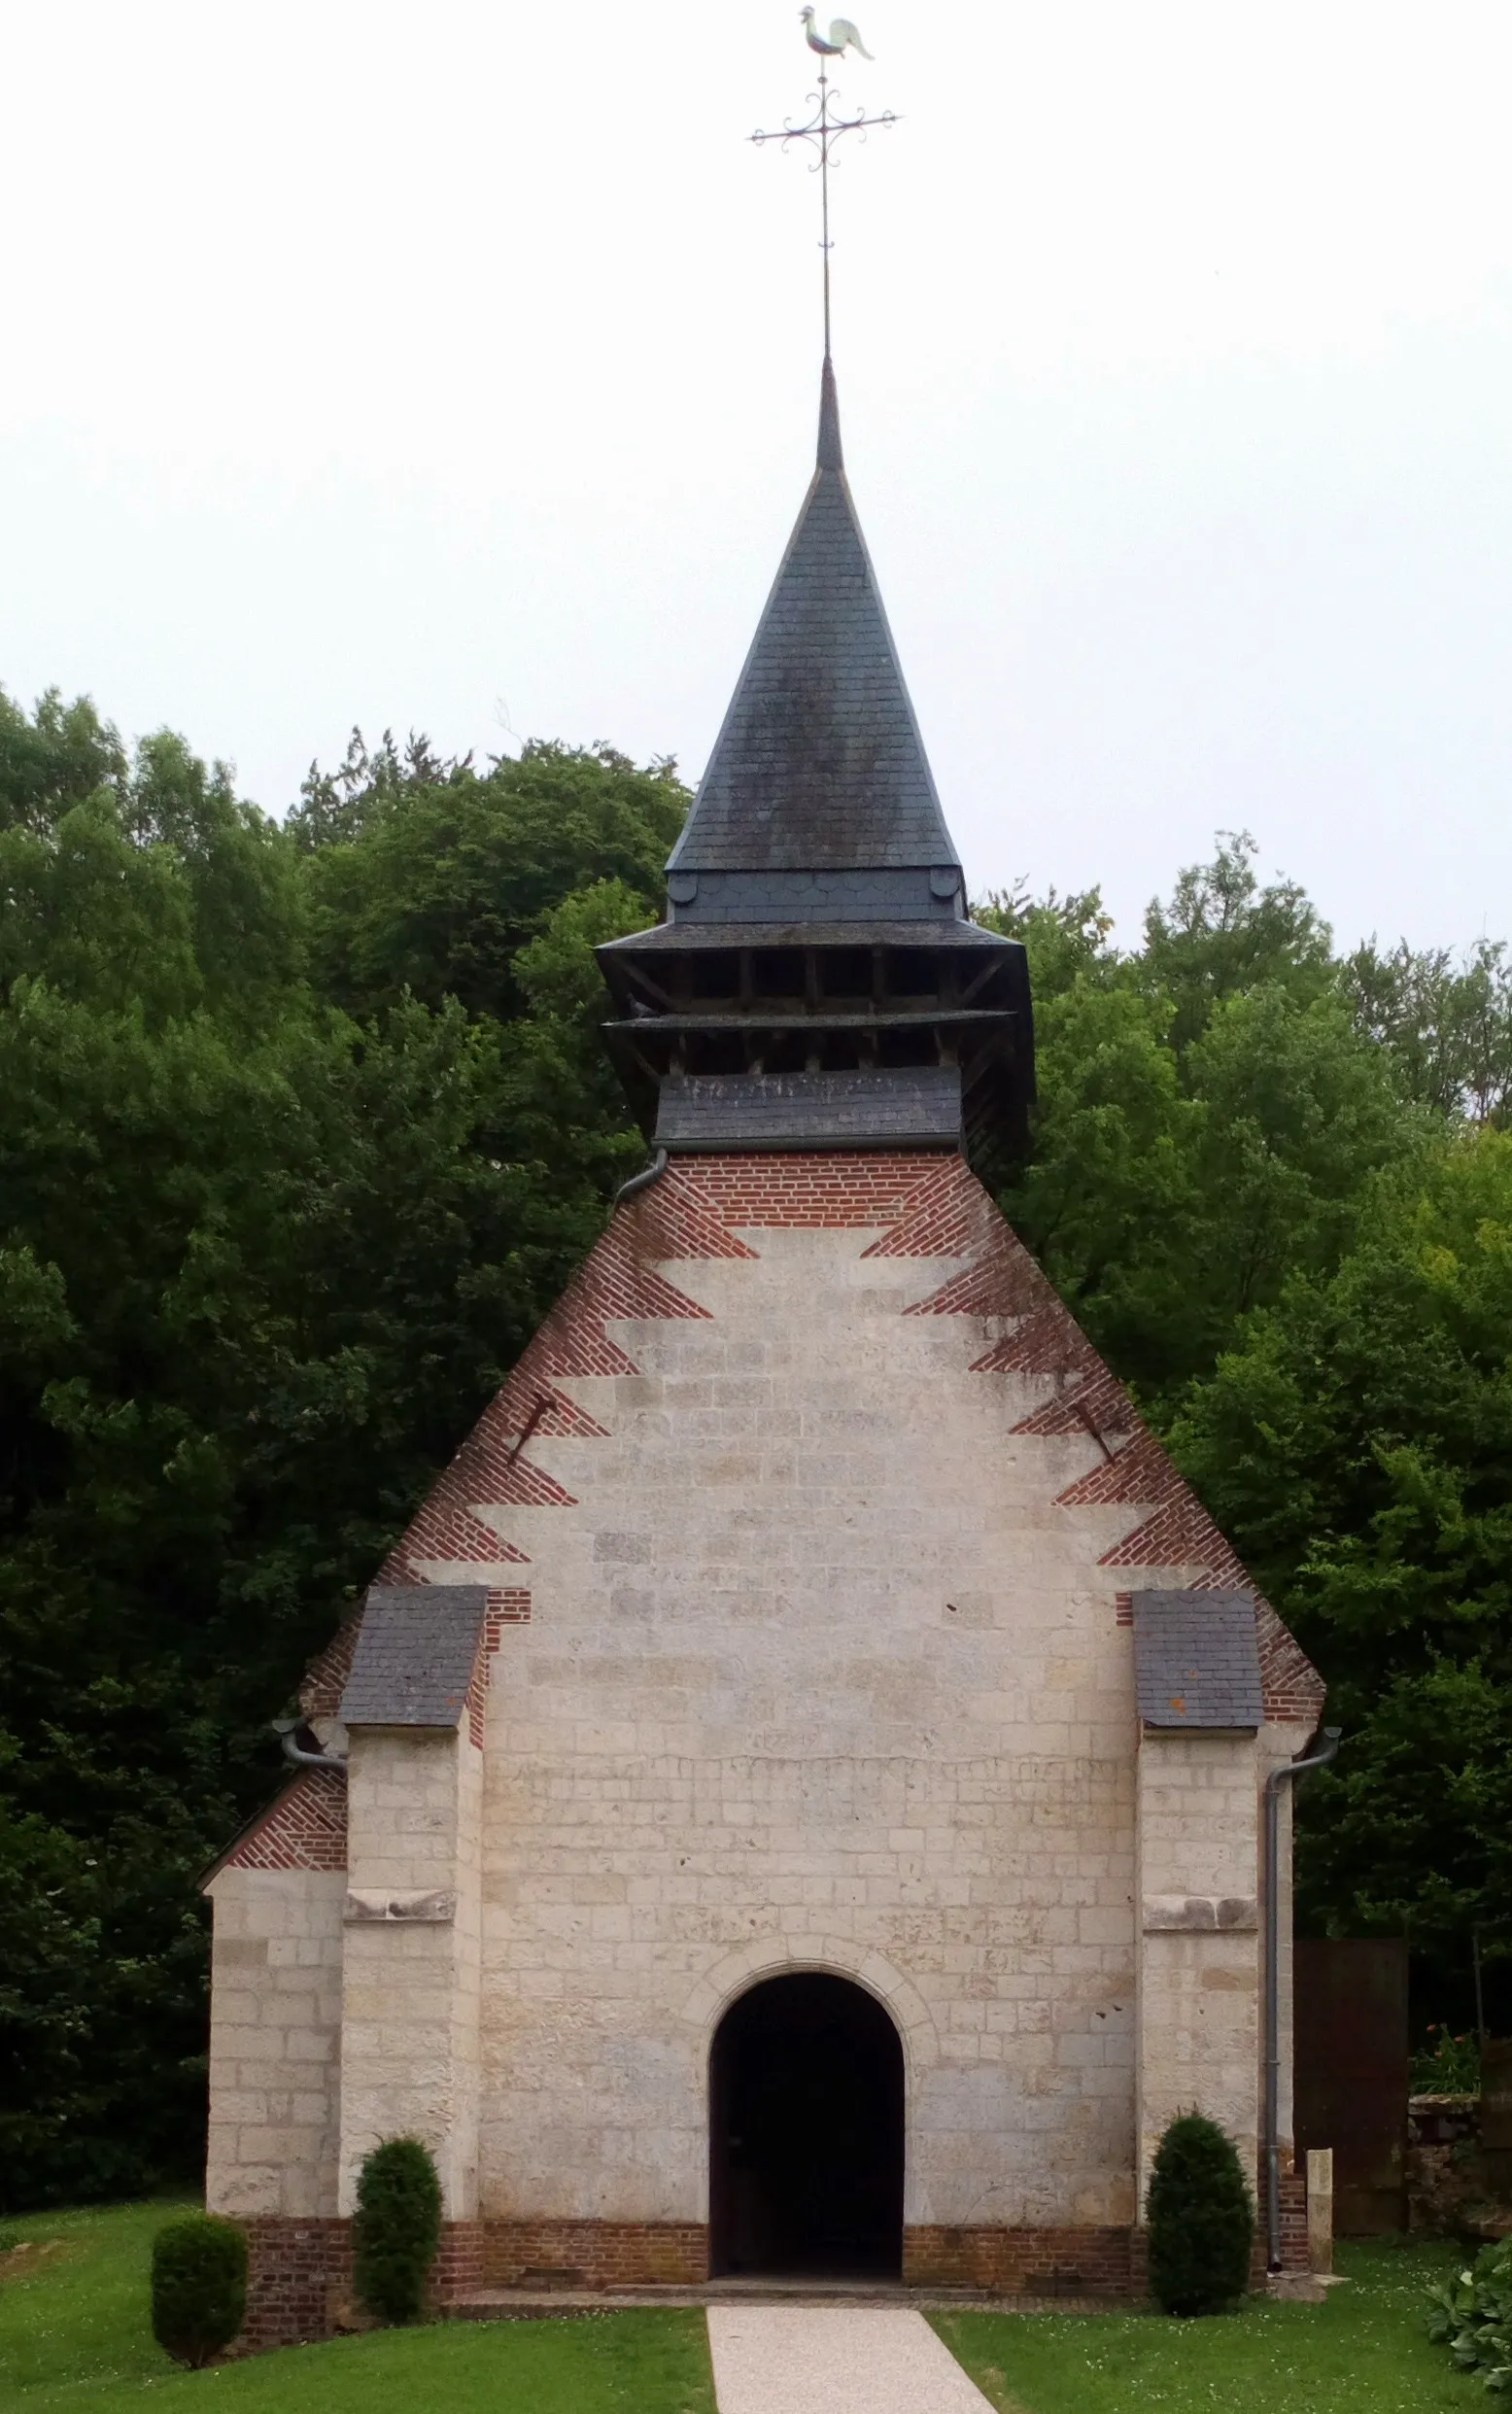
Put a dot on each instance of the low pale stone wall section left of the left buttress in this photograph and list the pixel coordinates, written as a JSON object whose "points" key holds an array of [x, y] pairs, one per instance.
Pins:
{"points": [[274, 2041]]}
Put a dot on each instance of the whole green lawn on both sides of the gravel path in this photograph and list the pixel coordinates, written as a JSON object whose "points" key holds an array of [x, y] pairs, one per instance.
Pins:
{"points": [[76, 2340]]}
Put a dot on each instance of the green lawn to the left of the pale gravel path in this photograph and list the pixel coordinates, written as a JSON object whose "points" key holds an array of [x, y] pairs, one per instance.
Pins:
{"points": [[74, 2336]]}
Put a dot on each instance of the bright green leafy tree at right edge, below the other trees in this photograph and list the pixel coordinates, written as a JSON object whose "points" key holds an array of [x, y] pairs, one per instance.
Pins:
{"points": [[1359, 1450]]}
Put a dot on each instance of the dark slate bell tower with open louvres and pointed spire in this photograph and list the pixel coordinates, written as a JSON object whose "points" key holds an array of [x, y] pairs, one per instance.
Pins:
{"points": [[818, 981]]}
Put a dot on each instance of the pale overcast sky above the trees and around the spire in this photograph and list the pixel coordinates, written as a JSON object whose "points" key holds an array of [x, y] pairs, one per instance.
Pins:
{"points": [[455, 368]]}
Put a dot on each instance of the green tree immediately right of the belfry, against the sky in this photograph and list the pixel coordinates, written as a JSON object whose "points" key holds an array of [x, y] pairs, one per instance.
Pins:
{"points": [[1209, 1114]]}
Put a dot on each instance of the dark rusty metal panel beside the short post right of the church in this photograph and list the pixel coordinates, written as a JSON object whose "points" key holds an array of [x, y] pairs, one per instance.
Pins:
{"points": [[1351, 2060]]}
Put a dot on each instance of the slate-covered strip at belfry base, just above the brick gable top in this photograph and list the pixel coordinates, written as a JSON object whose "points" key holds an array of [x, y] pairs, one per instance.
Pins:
{"points": [[895, 1107]]}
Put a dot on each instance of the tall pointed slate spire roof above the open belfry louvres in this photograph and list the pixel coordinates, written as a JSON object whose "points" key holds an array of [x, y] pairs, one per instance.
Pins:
{"points": [[820, 762]]}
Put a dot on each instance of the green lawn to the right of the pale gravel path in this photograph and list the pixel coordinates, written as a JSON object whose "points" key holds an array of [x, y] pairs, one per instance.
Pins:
{"points": [[1363, 2352]]}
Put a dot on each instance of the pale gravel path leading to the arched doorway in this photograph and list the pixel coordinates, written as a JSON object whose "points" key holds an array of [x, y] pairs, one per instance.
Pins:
{"points": [[834, 2360]]}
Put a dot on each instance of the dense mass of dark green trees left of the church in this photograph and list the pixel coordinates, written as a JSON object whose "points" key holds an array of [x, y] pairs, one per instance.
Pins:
{"points": [[260, 1269]]}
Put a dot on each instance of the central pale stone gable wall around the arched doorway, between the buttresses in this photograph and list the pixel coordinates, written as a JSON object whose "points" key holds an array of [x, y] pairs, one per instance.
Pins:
{"points": [[818, 1674]]}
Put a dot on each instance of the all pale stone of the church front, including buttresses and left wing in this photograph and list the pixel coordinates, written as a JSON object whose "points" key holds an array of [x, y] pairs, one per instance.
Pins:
{"points": [[818, 1677]]}
